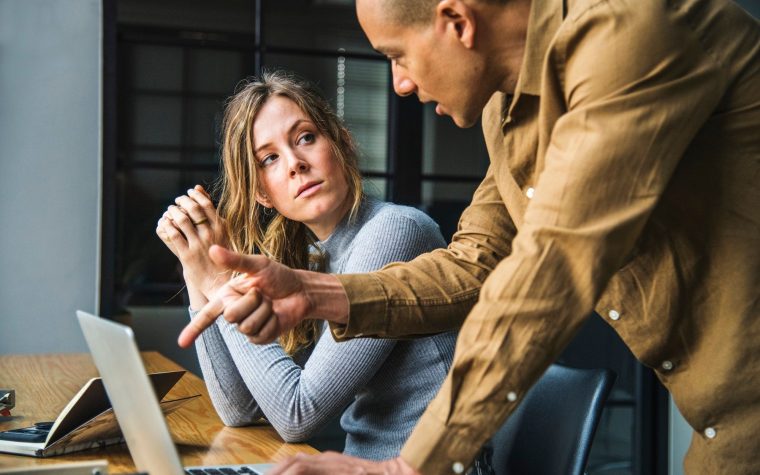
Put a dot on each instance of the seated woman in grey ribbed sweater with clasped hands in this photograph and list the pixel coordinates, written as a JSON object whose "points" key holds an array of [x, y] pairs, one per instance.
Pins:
{"points": [[290, 163]]}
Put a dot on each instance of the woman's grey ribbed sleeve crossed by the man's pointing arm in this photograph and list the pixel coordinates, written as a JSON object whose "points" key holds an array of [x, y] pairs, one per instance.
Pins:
{"points": [[299, 401]]}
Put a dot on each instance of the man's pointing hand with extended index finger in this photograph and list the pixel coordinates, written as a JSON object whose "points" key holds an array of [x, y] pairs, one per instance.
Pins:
{"points": [[268, 298]]}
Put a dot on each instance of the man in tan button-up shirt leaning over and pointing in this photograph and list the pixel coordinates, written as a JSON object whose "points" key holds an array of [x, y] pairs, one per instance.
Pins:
{"points": [[624, 137]]}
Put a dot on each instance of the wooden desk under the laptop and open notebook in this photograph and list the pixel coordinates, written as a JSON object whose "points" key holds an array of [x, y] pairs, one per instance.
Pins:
{"points": [[44, 384]]}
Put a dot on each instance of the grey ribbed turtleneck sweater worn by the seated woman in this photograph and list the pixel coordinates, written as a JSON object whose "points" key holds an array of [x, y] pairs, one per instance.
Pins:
{"points": [[383, 385]]}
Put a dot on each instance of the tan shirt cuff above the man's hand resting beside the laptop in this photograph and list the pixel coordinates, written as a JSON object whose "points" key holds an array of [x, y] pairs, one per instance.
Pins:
{"points": [[434, 447]]}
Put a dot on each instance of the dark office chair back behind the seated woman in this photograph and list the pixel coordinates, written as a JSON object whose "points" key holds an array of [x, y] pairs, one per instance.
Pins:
{"points": [[551, 431]]}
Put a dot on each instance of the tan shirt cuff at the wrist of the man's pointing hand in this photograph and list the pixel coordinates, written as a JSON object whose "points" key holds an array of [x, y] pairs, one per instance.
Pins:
{"points": [[367, 313]]}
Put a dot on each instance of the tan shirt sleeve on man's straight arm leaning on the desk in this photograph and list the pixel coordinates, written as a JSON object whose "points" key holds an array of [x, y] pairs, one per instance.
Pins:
{"points": [[637, 86]]}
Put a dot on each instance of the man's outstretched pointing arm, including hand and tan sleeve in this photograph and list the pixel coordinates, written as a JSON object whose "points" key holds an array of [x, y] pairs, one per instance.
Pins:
{"points": [[430, 295]]}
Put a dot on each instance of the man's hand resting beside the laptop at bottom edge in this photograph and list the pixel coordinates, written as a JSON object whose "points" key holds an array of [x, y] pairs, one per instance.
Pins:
{"points": [[333, 463]]}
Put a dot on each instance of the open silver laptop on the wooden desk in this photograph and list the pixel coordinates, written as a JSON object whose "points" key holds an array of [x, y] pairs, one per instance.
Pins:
{"points": [[134, 402]]}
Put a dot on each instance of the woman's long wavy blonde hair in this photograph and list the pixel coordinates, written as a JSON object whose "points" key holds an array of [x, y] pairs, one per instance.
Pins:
{"points": [[251, 227]]}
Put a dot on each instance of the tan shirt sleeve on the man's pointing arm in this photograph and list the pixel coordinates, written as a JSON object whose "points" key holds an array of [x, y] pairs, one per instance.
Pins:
{"points": [[434, 293]]}
